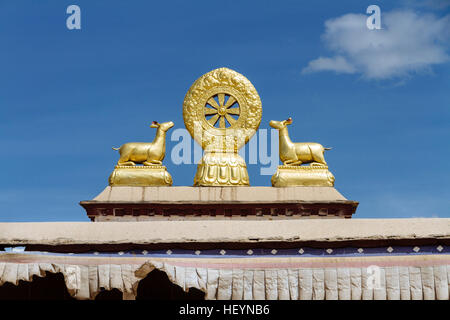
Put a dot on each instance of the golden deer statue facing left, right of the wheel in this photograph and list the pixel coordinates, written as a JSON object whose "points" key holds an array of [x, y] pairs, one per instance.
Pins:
{"points": [[295, 154]]}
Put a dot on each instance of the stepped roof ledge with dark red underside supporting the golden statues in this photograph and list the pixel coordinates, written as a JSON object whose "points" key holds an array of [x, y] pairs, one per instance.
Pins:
{"points": [[150, 203]]}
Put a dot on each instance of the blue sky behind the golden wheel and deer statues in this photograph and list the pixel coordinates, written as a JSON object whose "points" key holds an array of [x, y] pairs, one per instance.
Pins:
{"points": [[381, 100]]}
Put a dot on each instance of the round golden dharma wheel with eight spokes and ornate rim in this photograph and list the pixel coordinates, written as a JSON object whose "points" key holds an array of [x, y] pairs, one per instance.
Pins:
{"points": [[222, 110]]}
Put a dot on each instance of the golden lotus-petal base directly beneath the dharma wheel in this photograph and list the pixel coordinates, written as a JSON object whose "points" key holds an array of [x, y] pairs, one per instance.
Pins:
{"points": [[221, 169]]}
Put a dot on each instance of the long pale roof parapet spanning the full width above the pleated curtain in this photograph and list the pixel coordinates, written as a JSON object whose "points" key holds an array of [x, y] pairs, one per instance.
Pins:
{"points": [[213, 231]]}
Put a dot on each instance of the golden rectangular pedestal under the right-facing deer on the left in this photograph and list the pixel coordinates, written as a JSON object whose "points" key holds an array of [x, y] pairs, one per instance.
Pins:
{"points": [[140, 176]]}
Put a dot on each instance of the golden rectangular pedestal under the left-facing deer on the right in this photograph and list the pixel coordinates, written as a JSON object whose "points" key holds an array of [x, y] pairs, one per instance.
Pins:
{"points": [[307, 176]]}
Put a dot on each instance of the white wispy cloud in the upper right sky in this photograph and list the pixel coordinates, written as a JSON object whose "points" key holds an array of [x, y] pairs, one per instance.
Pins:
{"points": [[408, 43]]}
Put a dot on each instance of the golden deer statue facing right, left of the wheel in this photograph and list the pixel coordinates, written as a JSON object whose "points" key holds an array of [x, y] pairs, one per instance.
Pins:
{"points": [[147, 153]]}
